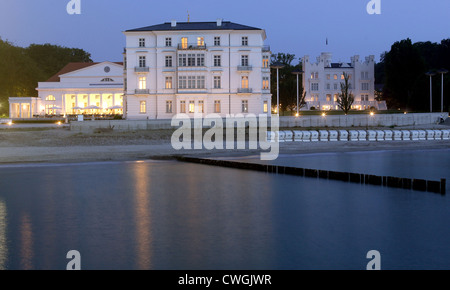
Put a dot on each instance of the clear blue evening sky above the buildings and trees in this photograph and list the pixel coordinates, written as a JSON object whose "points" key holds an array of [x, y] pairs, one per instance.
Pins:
{"points": [[298, 27]]}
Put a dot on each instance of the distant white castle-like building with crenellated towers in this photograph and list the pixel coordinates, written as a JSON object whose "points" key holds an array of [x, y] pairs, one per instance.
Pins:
{"points": [[321, 82]]}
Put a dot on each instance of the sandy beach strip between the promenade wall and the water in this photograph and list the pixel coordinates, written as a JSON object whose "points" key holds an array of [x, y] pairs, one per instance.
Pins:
{"points": [[60, 145]]}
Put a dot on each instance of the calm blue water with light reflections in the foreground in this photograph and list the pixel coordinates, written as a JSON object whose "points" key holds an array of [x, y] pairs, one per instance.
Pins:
{"points": [[170, 215]]}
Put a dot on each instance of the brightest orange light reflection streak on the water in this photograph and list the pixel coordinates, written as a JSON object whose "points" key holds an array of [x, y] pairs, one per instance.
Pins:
{"points": [[143, 216]]}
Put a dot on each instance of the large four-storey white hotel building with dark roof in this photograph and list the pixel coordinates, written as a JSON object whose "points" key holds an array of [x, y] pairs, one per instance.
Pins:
{"points": [[196, 67]]}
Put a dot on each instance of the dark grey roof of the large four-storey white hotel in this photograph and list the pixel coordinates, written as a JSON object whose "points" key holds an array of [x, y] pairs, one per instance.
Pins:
{"points": [[226, 25]]}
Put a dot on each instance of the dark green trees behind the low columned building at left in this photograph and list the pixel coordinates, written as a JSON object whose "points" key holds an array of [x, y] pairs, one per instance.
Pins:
{"points": [[22, 68]]}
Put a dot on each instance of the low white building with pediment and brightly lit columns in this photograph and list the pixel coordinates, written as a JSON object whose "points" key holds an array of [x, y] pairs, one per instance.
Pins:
{"points": [[77, 88]]}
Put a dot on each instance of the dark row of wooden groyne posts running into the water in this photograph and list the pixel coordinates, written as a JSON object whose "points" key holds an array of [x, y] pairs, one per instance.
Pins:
{"points": [[359, 178]]}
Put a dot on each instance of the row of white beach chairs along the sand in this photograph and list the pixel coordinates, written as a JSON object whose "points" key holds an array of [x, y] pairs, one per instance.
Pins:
{"points": [[357, 135]]}
